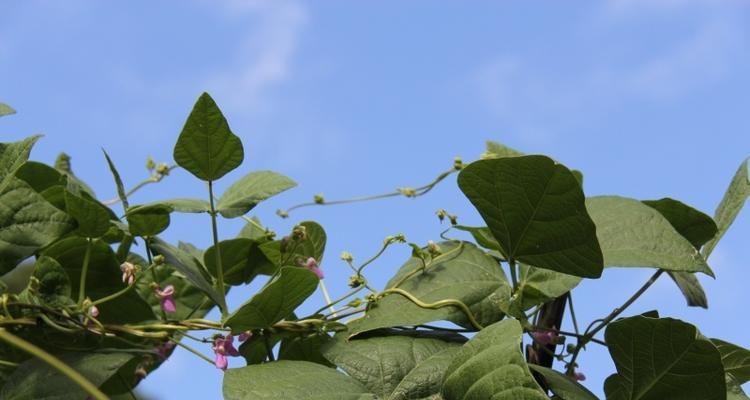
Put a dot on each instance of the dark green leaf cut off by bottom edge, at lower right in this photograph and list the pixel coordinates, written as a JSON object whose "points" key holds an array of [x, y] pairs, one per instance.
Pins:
{"points": [[662, 358]]}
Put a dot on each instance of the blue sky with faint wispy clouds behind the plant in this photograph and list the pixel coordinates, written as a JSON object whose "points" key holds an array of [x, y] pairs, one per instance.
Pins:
{"points": [[648, 98]]}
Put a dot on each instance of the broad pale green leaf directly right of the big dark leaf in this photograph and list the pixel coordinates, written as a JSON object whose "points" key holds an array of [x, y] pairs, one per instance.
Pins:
{"points": [[633, 234]]}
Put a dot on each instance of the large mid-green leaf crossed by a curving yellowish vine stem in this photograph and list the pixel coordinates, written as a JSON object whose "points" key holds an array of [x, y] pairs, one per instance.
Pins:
{"points": [[462, 273]]}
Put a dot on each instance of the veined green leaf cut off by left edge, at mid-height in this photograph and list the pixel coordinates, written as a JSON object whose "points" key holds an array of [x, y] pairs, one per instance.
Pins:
{"points": [[27, 223]]}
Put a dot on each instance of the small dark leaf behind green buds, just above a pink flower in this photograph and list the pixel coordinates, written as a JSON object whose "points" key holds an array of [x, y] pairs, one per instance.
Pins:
{"points": [[313, 246]]}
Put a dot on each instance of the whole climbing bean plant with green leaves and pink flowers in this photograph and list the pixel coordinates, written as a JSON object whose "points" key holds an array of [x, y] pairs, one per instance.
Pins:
{"points": [[93, 300]]}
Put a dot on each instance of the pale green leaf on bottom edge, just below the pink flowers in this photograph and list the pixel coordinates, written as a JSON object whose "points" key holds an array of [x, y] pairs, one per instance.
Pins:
{"points": [[283, 380]]}
